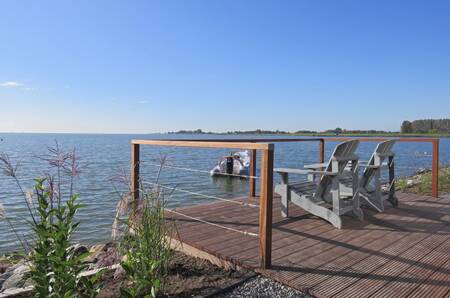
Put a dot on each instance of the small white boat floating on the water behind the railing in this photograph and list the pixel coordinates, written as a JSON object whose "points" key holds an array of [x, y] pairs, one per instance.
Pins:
{"points": [[236, 164]]}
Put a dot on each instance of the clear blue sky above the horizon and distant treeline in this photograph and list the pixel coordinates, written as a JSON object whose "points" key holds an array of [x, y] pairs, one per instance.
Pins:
{"points": [[156, 66]]}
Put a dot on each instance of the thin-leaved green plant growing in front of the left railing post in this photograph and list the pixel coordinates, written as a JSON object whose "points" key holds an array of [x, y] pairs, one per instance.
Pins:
{"points": [[147, 246]]}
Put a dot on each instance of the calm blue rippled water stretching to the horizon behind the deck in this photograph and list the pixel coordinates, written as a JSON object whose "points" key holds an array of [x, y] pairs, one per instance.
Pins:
{"points": [[108, 155]]}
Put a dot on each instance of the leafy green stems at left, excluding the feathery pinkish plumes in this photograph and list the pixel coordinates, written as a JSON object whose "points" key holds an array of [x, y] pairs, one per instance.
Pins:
{"points": [[55, 265]]}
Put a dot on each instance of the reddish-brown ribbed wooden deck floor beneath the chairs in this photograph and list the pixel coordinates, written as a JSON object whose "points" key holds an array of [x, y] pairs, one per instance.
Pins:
{"points": [[402, 252]]}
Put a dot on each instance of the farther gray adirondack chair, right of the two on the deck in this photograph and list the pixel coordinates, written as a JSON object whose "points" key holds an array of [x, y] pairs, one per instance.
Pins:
{"points": [[370, 188]]}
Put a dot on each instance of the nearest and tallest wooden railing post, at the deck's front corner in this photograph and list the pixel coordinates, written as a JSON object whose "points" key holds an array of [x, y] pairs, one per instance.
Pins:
{"points": [[265, 208]]}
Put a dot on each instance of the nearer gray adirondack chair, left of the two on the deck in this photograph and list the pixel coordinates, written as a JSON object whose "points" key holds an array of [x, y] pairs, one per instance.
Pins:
{"points": [[314, 196]]}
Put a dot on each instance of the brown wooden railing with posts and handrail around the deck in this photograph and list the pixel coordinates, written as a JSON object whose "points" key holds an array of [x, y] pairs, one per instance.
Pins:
{"points": [[266, 148]]}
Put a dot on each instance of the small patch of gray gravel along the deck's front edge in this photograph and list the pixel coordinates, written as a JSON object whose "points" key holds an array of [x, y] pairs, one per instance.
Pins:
{"points": [[263, 287]]}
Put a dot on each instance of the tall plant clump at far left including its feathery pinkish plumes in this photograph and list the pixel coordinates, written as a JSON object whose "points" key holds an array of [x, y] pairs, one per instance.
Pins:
{"points": [[55, 265]]}
